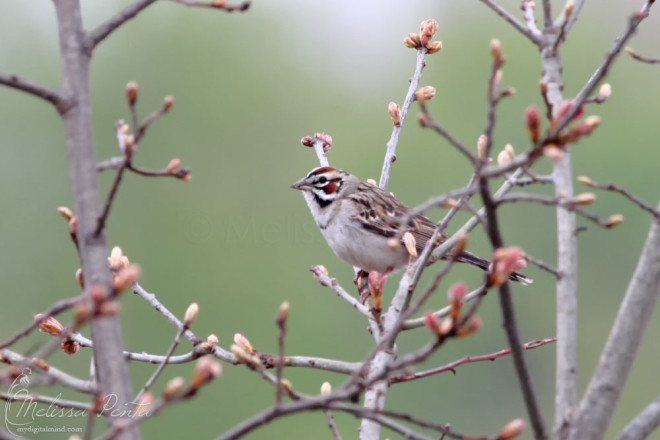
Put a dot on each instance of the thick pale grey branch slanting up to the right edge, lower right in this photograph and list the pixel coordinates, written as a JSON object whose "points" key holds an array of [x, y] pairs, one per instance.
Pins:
{"points": [[595, 411]]}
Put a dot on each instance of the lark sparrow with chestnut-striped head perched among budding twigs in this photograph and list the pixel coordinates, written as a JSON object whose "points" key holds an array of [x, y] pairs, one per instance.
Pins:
{"points": [[357, 220]]}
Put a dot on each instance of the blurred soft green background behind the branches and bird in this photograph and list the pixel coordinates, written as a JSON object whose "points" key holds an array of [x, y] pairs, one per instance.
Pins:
{"points": [[239, 242]]}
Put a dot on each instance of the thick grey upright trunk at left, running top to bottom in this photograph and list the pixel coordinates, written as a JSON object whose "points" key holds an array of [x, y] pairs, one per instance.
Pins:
{"points": [[110, 367]]}
